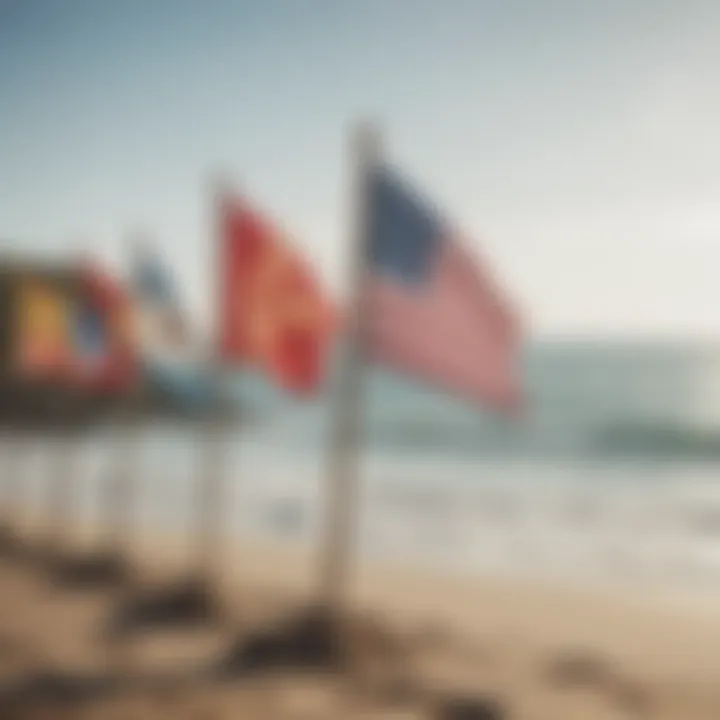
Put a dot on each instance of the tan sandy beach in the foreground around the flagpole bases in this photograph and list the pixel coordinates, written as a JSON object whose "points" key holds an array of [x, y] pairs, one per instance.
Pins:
{"points": [[421, 641]]}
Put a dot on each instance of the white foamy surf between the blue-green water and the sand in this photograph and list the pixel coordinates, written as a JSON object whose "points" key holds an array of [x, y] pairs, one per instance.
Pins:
{"points": [[651, 527]]}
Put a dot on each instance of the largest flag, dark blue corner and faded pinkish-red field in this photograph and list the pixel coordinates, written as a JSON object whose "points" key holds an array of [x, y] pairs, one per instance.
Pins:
{"points": [[432, 311]]}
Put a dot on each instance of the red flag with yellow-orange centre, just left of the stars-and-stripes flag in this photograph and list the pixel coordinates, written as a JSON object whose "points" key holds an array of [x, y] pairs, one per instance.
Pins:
{"points": [[274, 315]]}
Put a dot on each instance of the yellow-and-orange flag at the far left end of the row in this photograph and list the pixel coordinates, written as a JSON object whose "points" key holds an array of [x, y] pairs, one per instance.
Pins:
{"points": [[43, 335]]}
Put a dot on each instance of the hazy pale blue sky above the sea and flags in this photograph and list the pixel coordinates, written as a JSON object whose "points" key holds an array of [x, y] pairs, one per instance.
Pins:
{"points": [[574, 144]]}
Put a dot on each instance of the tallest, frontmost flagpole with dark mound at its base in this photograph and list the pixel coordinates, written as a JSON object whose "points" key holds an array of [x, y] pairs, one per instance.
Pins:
{"points": [[317, 636]]}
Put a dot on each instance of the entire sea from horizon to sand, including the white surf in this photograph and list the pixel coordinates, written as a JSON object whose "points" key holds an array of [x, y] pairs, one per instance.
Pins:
{"points": [[610, 476]]}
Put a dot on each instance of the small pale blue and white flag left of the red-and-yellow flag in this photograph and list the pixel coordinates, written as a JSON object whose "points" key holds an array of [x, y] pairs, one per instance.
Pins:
{"points": [[162, 327]]}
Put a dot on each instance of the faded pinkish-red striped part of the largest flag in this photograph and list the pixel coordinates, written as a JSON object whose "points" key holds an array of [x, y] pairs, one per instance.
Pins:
{"points": [[453, 331]]}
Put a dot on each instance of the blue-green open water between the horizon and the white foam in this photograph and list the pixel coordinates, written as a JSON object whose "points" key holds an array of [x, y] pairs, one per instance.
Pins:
{"points": [[593, 402]]}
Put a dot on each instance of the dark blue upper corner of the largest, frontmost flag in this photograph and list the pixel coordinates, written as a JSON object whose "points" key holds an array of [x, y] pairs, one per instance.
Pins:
{"points": [[404, 233]]}
